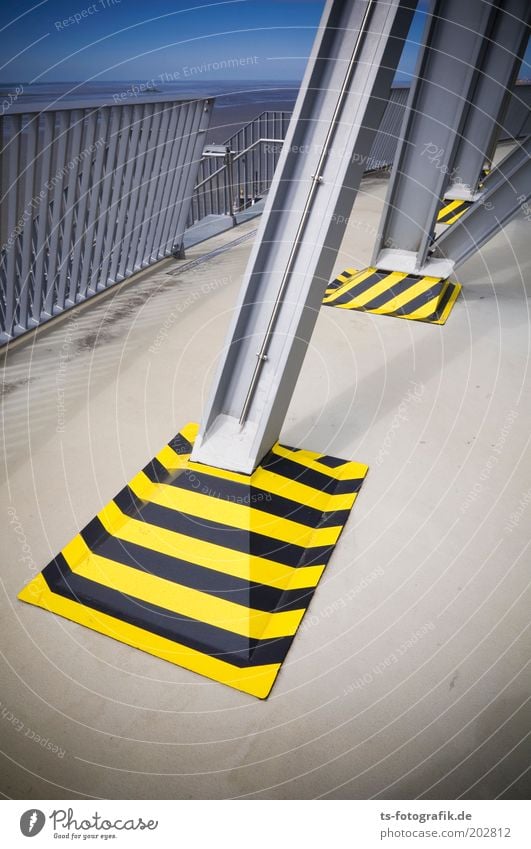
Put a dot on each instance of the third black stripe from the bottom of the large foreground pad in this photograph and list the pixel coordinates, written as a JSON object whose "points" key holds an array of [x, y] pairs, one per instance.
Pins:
{"points": [[236, 539]]}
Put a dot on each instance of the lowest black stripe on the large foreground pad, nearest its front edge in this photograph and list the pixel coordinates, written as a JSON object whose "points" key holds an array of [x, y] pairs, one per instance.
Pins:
{"points": [[208, 639]]}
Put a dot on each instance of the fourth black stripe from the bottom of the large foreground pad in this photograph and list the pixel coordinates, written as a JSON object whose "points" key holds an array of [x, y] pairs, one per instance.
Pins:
{"points": [[240, 493]]}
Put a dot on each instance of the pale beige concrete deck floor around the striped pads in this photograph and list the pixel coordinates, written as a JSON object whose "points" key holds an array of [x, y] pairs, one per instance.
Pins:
{"points": [[408, 677]]}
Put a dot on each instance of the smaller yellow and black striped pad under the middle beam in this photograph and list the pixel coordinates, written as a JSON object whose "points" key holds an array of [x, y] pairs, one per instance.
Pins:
{"points": [[393, 293]]}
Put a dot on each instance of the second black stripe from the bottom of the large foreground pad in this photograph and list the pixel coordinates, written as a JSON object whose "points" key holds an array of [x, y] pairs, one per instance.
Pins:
{"points": [[237, 590]]}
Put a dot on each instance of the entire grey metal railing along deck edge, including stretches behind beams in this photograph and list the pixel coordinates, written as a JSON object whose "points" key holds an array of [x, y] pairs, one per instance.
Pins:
{"points": [[92, 193]]}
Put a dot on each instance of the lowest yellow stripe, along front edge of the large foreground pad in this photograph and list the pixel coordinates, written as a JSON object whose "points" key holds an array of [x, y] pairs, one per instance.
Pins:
{"points": [[257, 681]]}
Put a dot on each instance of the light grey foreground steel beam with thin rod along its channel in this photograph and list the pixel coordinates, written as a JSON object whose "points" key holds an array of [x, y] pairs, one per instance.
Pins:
{"points": [[340, 104]]}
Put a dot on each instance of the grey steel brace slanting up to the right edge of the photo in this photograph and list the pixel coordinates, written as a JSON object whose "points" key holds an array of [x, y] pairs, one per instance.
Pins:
{"points": [[507, 189]]}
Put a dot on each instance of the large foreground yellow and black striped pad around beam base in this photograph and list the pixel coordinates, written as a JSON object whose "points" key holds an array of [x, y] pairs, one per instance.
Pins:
{"points": [[208, 569]]}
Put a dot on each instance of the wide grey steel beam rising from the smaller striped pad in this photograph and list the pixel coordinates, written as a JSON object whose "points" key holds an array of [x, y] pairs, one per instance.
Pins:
{"points": [[453, 42]]}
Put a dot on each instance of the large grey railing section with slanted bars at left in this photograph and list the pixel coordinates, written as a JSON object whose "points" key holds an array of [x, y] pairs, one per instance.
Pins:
{"points": [[90, 194]]}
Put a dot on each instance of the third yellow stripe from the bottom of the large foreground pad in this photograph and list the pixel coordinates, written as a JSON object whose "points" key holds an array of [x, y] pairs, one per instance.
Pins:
{"points": [[229, 562]]}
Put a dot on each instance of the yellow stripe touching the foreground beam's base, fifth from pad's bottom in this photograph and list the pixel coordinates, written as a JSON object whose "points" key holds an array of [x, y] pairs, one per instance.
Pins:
{"points": [[263, 479]]}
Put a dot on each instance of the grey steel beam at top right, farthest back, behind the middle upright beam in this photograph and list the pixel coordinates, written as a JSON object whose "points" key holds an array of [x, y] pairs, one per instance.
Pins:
{"points": [[496, 75]]}
